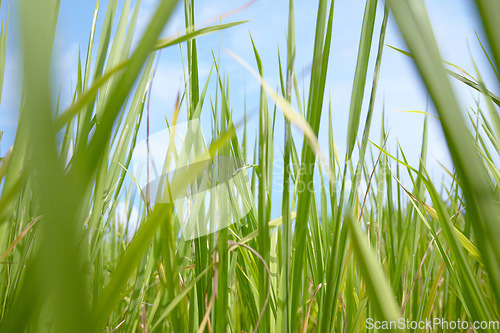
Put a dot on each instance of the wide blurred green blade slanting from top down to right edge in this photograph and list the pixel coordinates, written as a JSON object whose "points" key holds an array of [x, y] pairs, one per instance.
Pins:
{"points": [[415, 26]]}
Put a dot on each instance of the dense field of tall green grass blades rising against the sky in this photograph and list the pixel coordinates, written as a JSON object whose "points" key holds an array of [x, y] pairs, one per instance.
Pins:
{"points": [[336, 257]]}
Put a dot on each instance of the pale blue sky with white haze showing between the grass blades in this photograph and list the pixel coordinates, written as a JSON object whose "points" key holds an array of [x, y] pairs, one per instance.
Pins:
{"points": [[454, 23]]}
